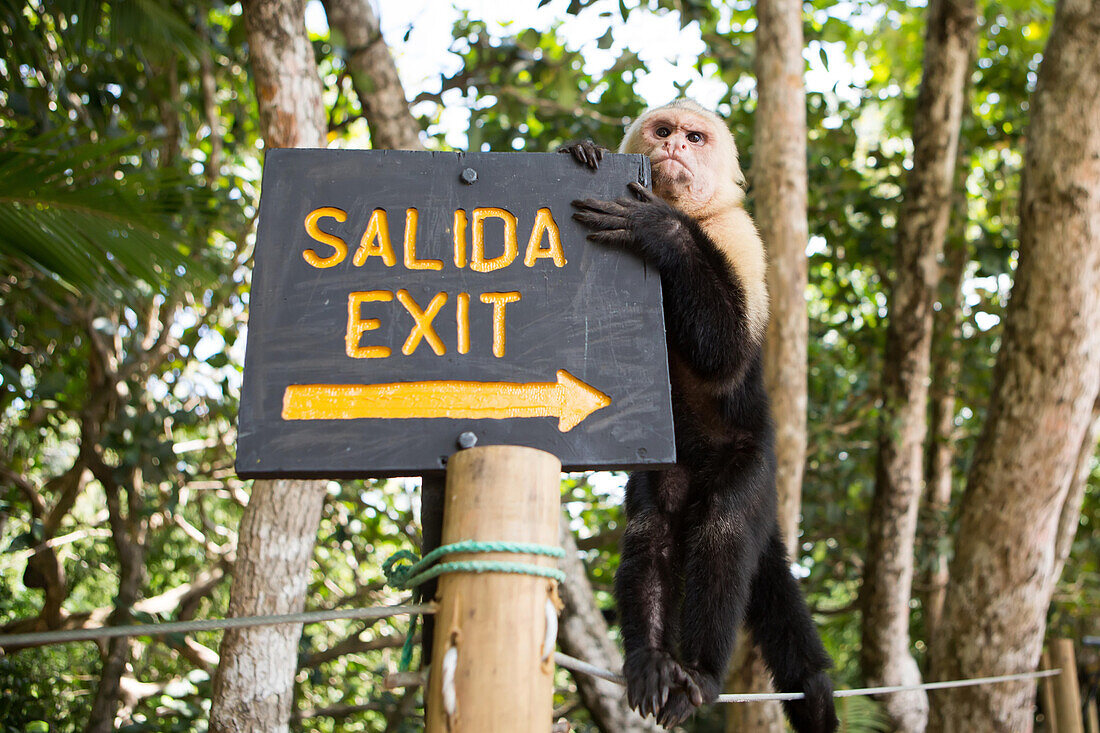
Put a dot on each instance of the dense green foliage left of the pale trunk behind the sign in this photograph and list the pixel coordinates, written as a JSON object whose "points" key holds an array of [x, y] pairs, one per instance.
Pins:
{"points": [[122, 297]]}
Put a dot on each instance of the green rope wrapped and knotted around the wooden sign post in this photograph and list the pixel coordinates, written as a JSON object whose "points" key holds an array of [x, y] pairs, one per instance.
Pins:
{"points": [[416, 572]]}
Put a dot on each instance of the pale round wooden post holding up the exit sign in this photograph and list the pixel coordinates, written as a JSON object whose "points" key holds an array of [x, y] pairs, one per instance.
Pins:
{"points": [[491, 628]]}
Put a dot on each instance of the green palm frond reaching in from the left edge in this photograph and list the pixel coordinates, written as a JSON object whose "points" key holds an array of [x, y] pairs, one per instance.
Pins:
{"points": [[81, 215]]}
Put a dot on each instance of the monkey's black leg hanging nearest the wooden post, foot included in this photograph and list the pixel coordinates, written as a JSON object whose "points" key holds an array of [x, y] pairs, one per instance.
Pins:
{"points": [[646, 593]]}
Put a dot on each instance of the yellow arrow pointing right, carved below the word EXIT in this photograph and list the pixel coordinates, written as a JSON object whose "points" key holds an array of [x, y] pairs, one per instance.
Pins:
{"points": [[569, 400]]}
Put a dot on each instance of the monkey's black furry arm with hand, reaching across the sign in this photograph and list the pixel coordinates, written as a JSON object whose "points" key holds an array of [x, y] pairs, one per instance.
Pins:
{"points": [[705, 301]]}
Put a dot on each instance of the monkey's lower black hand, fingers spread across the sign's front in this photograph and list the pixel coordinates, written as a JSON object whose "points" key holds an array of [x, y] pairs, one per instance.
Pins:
{"points": [[643, 223]]}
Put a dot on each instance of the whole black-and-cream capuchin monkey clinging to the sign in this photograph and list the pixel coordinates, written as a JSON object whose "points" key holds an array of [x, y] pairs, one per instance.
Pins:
{"points": [[702, 552]]}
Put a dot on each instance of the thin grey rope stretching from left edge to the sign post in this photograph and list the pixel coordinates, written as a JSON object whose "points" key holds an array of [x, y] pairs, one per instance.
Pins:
{"points": [[41, 639]]}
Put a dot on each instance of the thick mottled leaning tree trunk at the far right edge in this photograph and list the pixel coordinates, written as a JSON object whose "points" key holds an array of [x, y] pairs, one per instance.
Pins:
{"points": [[1046, 386]]}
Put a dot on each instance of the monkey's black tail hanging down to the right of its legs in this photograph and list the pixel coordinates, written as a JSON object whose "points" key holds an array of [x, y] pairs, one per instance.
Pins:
{"points": [[788, 639]]}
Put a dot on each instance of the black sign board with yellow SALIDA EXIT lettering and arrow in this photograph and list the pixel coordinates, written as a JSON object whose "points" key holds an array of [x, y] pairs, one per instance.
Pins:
{"points": [[402, 300]]}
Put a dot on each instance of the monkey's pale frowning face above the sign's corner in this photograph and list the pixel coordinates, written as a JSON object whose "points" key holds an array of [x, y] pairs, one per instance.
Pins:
{"points": [[683, 148]]}
